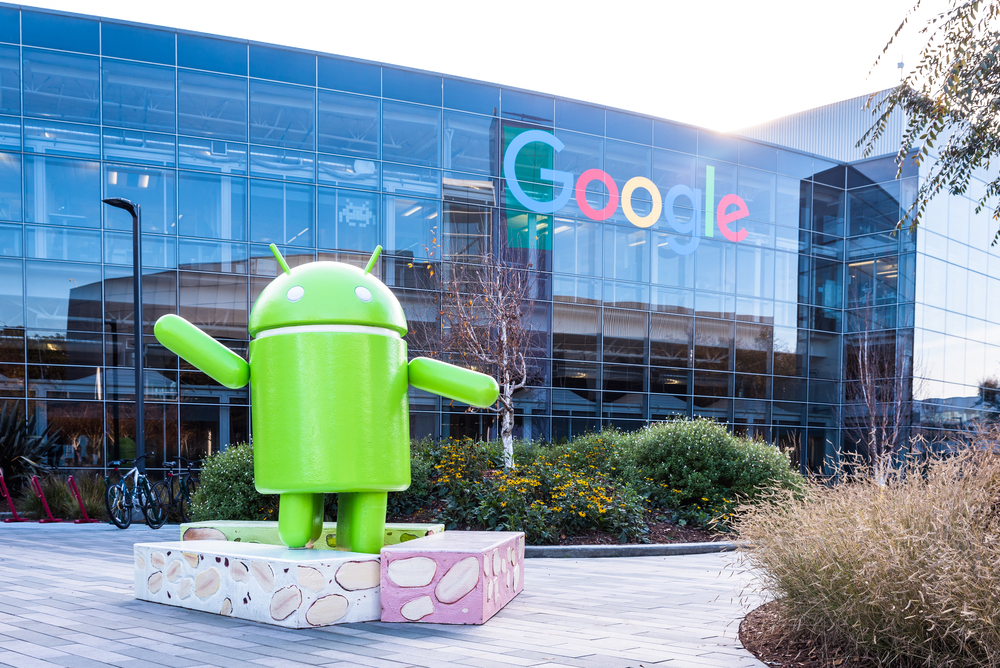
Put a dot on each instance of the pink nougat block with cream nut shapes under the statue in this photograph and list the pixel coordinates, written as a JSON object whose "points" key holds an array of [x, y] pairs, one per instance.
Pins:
{"points": [[455, 577]]}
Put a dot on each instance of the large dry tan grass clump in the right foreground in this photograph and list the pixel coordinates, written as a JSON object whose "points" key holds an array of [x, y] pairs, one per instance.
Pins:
{"points": [[905, 572]]}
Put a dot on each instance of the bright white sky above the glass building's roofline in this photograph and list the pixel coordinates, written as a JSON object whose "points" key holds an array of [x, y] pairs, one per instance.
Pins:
{"points": [[722, 65]]}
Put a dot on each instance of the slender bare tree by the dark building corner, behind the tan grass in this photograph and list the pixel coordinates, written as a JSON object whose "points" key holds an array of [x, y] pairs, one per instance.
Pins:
{"points": [[878, 401]]}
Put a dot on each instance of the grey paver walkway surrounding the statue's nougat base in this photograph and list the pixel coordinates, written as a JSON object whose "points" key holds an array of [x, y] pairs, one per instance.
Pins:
{"points": [[66, 600]]}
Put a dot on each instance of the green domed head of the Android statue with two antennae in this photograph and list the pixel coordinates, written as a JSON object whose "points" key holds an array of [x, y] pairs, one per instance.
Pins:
{"points": [[326, 293]]}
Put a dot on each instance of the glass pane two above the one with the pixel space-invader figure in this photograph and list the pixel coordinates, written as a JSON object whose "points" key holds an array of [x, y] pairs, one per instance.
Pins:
{"points": [[348, 124]]}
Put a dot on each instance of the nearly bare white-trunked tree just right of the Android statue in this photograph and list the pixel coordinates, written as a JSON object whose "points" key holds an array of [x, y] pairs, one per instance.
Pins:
{"points": [[486, 323]]}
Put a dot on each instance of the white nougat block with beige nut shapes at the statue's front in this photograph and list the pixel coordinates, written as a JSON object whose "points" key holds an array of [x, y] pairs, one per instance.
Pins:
{"points": [[262, 583]]}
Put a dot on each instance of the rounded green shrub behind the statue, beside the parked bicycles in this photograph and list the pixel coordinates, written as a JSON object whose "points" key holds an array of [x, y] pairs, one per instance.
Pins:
{"points": [[226, 490]]}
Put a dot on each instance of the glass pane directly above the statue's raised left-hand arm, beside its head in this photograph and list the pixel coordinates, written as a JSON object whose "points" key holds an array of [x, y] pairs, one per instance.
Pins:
{"points": [[214, 302]]}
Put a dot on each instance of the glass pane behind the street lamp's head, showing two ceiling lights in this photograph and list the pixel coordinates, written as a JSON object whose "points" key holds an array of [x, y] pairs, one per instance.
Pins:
{"points": [[152, 189]]}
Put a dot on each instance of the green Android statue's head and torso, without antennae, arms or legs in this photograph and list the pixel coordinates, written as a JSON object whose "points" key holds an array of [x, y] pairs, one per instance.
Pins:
{"points": [[330, 409]]}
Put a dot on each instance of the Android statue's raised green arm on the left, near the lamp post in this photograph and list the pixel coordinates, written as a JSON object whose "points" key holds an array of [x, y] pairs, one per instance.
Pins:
{"points": [[202, 351]]}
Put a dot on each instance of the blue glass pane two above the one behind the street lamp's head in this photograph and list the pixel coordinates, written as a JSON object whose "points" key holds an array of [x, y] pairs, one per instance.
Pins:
{"points": [[138, 96]]}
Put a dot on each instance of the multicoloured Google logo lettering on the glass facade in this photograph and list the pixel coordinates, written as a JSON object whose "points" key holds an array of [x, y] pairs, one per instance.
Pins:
{"points": [[730, 209]]}
